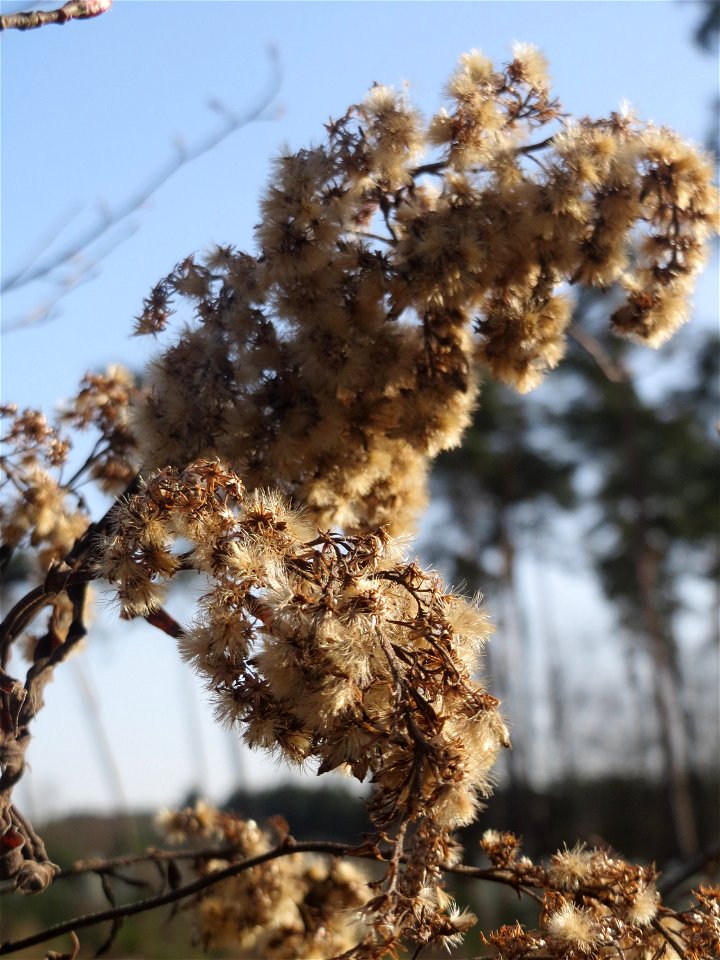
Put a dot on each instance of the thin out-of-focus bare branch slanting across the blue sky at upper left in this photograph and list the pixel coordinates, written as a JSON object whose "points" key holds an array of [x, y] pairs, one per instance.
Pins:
{"points": [[231, 123]]}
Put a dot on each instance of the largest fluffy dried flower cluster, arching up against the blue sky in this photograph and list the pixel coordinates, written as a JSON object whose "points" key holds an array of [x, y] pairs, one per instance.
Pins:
{"points": [[347, 352]]}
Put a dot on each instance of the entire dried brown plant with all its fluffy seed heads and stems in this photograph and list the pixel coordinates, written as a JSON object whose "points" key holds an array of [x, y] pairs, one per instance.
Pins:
{"points": [[280, 448]]}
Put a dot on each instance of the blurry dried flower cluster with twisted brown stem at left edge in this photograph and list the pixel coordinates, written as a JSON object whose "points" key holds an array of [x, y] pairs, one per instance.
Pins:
{"points": [[44, 515]]}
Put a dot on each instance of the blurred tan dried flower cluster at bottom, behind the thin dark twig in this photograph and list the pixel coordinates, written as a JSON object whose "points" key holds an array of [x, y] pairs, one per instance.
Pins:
{"points": [[293, 906]]}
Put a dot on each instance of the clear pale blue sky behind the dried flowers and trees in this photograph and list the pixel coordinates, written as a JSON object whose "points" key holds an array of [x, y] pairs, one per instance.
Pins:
{"points": [[92, 110]]}
